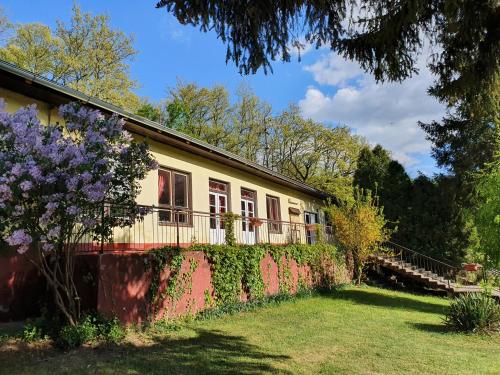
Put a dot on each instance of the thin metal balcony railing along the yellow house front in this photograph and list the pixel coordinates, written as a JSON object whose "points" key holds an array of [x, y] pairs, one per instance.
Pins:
{"points": [[161, 227]]}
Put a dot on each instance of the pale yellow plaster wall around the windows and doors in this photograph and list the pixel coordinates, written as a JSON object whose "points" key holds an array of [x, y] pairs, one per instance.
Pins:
{"points": [[201, 170]]}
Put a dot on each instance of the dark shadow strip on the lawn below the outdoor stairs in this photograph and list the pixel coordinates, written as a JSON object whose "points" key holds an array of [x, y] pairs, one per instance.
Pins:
{"points": [[372, 298]]}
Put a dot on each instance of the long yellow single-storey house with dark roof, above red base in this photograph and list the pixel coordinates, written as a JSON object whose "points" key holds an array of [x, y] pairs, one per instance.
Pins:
{"points": [[195, 185]]}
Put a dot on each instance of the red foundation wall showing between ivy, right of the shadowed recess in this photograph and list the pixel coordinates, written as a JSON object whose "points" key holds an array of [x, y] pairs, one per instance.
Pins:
{"points": [[125, 280]]}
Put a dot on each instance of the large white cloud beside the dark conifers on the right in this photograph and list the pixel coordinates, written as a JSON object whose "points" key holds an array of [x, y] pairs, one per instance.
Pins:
{"points": [[383, 113]]}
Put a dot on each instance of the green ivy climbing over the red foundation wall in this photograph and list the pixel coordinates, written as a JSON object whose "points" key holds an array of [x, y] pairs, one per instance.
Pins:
{"points": [[236, 267]]}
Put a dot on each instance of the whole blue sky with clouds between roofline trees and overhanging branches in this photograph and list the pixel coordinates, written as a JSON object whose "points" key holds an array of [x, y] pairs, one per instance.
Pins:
{"points": [[326, 87]]}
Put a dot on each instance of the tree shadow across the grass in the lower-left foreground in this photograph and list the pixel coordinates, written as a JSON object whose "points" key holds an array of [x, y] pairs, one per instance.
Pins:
{"points": [[209, 352]]}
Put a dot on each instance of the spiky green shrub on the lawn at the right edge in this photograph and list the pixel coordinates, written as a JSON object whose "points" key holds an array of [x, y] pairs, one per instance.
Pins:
{"points": [[474, 312]]}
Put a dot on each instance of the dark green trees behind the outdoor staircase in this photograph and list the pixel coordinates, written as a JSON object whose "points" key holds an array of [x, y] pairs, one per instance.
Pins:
{"points": [[421, 213]]}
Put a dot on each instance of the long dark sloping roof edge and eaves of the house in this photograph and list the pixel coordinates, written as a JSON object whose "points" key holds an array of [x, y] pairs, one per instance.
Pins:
{"points": [[38, 87]]}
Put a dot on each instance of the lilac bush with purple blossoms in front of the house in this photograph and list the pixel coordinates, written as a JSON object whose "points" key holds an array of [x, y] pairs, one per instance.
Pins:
{"points": [[54, 181]]}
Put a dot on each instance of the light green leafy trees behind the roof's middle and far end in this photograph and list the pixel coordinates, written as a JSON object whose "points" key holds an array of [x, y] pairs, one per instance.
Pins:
{"points": [[285, 142]]}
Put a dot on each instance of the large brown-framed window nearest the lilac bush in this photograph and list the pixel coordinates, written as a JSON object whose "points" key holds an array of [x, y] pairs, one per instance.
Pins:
{"points": [[173, 196]]}
